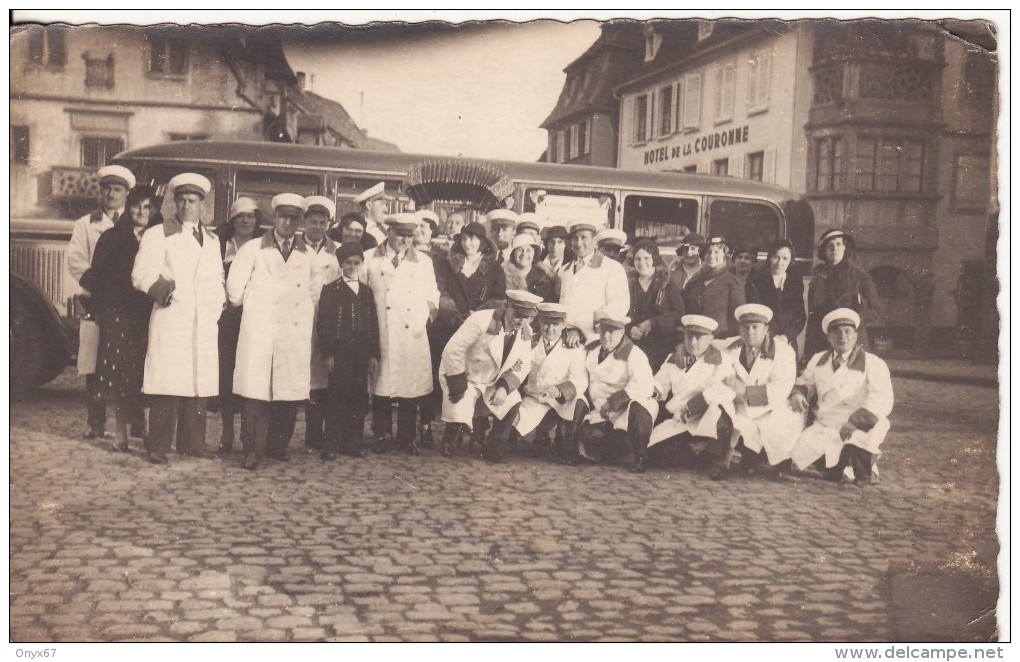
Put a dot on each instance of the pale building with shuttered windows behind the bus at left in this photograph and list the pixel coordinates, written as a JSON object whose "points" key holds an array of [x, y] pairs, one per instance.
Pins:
{"points": [[81, 95]]}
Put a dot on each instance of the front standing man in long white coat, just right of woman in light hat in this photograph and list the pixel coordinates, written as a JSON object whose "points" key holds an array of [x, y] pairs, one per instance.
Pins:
{"points": [[274, 279]]}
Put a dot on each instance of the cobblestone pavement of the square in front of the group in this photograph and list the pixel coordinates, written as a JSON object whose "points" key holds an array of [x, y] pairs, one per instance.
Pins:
{"points": [[106, 547]]}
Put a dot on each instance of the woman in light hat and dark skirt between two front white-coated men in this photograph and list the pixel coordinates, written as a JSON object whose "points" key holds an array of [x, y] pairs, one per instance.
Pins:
{"points": [[244, 225]]}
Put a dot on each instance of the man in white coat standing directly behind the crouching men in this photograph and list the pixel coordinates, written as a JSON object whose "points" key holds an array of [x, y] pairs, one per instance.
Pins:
{"points": [[592, 282]]}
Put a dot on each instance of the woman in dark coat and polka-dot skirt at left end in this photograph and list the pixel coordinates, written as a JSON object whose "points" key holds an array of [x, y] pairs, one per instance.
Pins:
{"points": [[123, 313]]}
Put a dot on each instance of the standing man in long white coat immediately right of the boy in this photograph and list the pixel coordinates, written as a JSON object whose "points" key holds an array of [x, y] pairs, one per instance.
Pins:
{"points": [[403, 283]]}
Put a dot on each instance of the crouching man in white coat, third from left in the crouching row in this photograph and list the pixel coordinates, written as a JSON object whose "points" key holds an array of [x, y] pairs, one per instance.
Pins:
{"points": [[621, 393]]}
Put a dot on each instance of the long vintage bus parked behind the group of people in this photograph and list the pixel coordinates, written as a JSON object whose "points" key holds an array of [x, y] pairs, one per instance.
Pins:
{"points": [[661, 206]]}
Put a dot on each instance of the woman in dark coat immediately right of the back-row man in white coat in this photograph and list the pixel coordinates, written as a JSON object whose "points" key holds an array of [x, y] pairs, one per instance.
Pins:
{"points": [[656, 304]]}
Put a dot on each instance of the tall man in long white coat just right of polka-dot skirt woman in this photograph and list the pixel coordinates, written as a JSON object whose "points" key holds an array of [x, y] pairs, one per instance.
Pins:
{"points": [[179, 266]]}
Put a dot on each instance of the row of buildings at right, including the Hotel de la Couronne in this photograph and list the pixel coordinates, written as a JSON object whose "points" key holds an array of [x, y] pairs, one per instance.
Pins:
{"points": [[887, 129]]}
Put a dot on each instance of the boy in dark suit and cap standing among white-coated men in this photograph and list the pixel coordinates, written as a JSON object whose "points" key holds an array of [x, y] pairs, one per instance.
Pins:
{"points": [[348, 334]]}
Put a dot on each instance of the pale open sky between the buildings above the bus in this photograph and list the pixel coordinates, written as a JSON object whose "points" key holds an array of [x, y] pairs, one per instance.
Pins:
{"points": [[481, 94]]}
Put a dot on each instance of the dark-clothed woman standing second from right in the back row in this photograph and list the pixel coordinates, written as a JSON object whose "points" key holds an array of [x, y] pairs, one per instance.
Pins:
{"points": [[781, 288]]}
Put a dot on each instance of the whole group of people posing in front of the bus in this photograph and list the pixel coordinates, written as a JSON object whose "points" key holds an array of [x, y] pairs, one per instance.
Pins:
{"points": [[567, 334]]}
